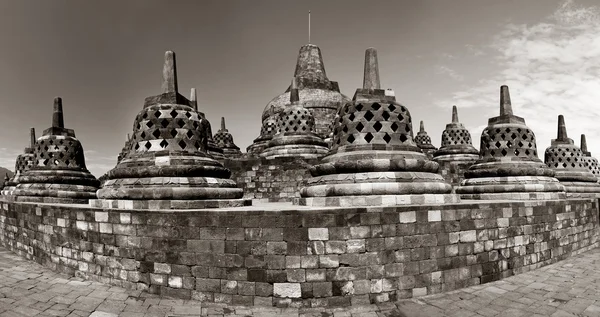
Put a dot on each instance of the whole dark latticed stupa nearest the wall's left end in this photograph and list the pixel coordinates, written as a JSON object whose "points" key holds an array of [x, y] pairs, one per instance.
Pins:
{"points": [[58, 173]]}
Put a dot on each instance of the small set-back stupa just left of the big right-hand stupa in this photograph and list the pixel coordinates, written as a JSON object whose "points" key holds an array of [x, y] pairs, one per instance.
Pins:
{"points": [[456, 142]]}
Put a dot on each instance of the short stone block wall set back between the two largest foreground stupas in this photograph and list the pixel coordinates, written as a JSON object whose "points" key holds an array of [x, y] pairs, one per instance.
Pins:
{"points": [[270, 180]]}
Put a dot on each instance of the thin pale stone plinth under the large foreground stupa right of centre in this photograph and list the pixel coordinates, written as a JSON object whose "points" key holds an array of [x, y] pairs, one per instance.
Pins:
{"points": [[377, 200]]}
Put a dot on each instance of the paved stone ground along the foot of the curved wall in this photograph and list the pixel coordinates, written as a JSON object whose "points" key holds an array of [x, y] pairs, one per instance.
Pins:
{"points": [[567, 288]]}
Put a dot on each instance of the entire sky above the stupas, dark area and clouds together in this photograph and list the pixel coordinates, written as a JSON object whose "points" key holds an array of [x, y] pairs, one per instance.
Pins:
{"points": [[103, 57]]}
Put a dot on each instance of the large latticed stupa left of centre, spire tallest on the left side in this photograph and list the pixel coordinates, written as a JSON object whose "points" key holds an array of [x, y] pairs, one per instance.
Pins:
{"points": [[167, 166]]}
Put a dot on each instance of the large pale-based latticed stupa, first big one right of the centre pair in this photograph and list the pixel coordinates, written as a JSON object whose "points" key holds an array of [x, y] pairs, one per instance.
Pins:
{"points": [[509, 167]]}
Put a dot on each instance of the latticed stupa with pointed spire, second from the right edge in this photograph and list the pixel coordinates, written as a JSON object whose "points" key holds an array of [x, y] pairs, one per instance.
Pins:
{"points": [[568, 161]]}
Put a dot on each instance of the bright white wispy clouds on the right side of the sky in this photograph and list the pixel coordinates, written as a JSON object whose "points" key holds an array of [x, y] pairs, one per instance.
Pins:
{"points": [[552, 67]]}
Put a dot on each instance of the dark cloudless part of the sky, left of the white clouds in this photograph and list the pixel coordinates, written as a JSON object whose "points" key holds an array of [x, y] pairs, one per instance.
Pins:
{"points": [[103, 57]]}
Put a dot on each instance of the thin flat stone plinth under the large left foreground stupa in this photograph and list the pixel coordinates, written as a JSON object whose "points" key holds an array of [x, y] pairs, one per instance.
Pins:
{"points": [[168, 204]]}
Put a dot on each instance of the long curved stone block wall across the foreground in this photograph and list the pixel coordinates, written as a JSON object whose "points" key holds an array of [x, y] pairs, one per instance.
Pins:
{"points": [[309, 258]]}
